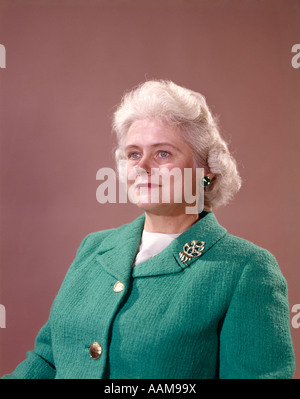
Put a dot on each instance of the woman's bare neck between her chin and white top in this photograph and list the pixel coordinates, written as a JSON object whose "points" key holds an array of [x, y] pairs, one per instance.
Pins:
{"points": [[169, 224]]}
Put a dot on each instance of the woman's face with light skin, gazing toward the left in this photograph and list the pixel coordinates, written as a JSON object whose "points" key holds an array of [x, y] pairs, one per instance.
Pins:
{"points": [[157, 157]]}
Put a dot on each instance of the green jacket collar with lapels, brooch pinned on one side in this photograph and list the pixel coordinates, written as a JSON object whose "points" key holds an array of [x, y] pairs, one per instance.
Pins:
{"points": [[117, 252]]}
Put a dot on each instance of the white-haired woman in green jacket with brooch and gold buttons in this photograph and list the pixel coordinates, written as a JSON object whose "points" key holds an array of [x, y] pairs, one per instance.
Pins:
{"points": [[172, 294]]}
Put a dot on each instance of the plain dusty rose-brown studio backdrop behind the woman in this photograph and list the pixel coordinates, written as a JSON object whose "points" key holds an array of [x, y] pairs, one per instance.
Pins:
{"points": [[67, 65]]}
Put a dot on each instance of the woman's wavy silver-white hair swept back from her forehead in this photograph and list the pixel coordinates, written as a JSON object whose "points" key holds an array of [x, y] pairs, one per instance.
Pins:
{"points": [[175, 105]]}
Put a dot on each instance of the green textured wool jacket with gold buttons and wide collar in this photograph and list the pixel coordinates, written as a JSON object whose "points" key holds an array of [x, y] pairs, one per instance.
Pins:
{"points": [[224, 314]]}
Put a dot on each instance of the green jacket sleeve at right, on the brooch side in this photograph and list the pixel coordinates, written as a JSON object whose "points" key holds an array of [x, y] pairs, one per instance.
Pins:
{"points": [[255, 339]]}
